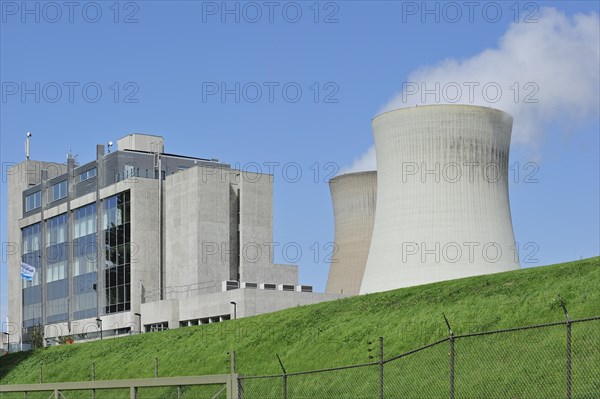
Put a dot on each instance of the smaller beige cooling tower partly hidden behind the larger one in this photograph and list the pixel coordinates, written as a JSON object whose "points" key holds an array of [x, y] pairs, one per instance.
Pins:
{"points": [[353, 196]]}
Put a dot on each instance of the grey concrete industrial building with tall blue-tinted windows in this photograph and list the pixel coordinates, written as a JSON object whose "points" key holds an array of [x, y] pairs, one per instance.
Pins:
{"points": [[140, 239]]}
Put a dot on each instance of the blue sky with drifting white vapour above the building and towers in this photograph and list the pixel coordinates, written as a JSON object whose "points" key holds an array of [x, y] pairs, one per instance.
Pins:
{"points": [[349, 60]]}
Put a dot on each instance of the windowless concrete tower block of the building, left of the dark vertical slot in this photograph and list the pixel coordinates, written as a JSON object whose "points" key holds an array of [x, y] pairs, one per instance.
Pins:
{"points": [[197, 229]]}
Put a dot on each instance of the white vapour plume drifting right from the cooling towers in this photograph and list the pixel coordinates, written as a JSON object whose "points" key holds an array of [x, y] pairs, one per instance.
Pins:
{"points": [[555, 61]]}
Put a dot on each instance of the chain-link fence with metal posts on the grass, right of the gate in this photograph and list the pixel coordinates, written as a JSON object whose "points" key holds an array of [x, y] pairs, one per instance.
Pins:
{"points": [[552, 360]]}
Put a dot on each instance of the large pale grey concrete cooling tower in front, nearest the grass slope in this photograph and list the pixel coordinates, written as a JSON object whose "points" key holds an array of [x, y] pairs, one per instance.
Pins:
{"points": [[442, 196]]}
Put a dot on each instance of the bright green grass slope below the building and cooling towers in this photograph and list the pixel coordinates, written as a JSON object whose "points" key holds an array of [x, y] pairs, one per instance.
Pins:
{"points": [[336, 333]]}
